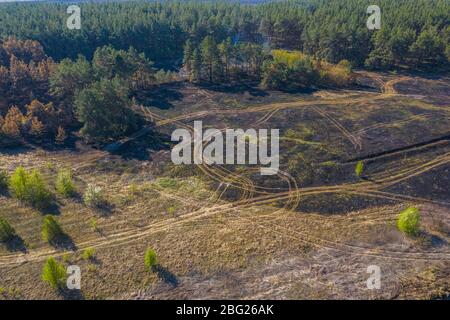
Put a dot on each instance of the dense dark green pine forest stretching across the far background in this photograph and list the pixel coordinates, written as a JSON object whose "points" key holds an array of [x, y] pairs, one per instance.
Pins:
{"points": [[413, 33]]}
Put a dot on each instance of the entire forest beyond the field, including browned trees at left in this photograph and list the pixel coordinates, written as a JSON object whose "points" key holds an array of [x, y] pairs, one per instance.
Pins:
{"points": [[54, 80]]}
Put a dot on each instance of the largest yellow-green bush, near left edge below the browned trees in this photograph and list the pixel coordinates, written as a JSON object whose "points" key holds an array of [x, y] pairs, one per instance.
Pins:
{"points": [[30, 187]]}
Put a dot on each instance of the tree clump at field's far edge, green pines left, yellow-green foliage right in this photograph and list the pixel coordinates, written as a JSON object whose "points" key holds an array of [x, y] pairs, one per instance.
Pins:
{"points": [[225, 62]]}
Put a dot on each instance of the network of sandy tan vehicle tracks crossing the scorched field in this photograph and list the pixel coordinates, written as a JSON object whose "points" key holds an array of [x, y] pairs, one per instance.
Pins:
{"points": [[254, 195]]}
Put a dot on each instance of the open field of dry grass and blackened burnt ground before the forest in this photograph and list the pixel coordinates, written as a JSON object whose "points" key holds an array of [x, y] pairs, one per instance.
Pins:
{"points": [[227, 232]]}
